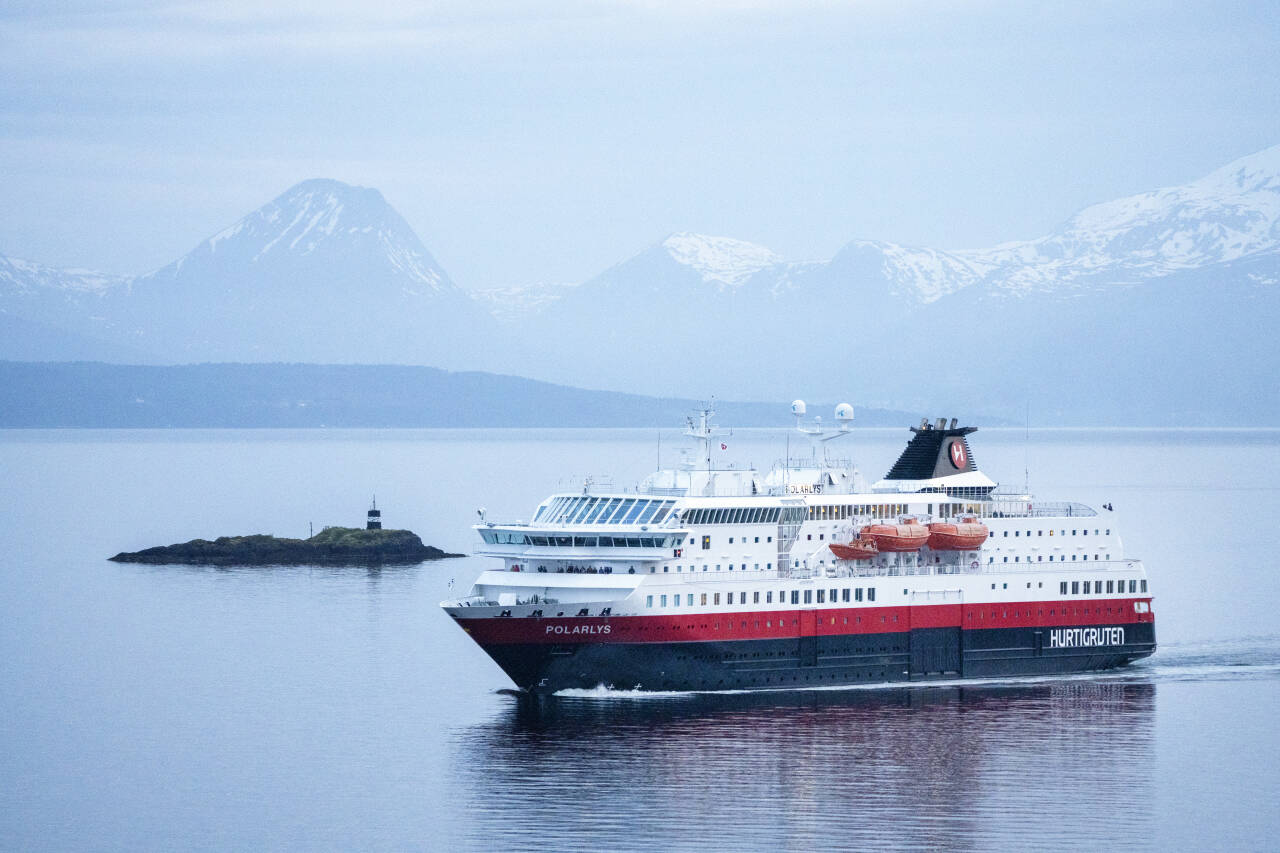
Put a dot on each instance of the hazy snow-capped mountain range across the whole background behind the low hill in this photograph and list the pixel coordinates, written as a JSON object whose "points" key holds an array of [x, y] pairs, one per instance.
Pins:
{"points": [[1159, 308]]}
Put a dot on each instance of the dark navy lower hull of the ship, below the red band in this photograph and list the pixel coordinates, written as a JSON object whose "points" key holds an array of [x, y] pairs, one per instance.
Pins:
{"points": [[930, 654]]}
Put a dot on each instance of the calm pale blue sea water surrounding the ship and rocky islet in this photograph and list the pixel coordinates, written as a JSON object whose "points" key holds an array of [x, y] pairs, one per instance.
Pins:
{"points": [[156, 708]]}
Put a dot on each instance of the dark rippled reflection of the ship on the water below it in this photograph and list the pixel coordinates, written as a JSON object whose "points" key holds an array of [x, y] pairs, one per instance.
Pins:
{"points": [[1067, 763]]}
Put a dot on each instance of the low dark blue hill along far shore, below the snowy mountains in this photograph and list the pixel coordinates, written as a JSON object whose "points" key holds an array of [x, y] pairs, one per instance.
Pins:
{"points": [[58, 395]]}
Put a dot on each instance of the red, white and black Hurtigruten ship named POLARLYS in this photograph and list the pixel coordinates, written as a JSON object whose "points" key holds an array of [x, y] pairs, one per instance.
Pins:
{"points": [[710, 577]]}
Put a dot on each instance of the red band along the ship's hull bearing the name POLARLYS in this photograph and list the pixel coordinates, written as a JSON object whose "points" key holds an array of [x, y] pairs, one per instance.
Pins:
{"points": [[781, 624]]}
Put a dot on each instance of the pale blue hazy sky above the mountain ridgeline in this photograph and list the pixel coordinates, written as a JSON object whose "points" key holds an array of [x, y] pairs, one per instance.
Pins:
{"points": [[542, 142]]}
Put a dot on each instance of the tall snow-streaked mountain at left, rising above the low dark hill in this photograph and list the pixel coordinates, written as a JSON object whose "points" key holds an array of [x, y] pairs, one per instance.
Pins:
{"points": [[327, 272]]}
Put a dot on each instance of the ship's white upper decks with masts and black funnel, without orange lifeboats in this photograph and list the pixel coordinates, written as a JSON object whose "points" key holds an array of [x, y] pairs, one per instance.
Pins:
{"points": [[707, 518]]}
